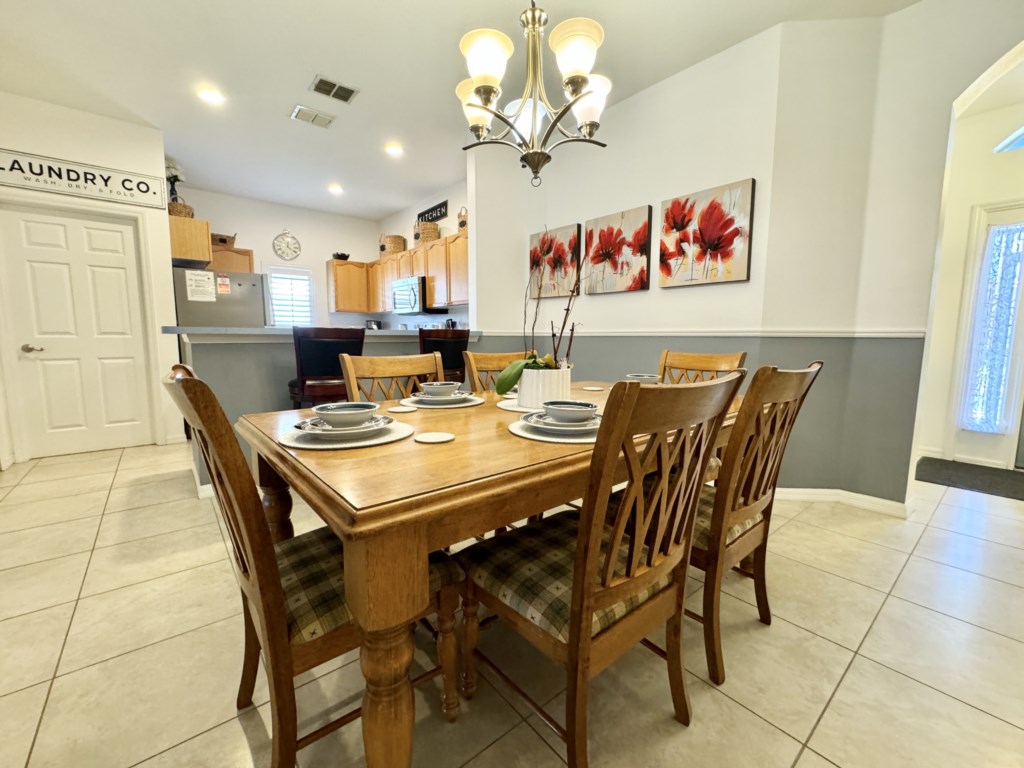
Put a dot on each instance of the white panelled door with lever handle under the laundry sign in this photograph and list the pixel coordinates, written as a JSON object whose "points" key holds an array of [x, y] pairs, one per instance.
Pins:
{"points": [[73, 317]]}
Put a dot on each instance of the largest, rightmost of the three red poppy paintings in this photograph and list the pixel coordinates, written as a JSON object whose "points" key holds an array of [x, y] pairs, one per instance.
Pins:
{"points": [[706, 237]]}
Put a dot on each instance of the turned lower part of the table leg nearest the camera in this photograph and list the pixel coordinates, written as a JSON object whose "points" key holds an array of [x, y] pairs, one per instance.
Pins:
{"points": [[389, 709]]}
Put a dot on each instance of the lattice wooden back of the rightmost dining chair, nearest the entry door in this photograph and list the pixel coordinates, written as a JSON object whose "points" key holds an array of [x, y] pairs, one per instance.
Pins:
{"points": [[753, 457]]}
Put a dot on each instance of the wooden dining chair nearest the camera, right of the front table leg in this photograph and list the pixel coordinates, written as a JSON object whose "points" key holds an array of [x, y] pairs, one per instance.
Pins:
{"points": [[585, 587]]}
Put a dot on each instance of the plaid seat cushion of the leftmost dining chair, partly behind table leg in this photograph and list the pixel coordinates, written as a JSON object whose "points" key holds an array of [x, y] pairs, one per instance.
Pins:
{"points": [[313, 577]]}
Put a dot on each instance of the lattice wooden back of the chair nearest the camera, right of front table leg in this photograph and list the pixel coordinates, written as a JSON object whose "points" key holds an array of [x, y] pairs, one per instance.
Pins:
{"points": [[664, 437]]}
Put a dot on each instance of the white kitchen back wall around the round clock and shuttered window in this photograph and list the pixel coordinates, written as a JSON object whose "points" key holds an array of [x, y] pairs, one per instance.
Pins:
{"points": [[259, 223]]}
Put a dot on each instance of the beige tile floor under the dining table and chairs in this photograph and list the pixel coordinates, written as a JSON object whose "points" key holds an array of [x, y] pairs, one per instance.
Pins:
{"points": [[894, 643]]}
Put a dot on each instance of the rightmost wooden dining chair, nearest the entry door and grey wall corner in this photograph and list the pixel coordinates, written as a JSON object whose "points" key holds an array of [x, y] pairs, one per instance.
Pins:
{"points": [[734, 519]]}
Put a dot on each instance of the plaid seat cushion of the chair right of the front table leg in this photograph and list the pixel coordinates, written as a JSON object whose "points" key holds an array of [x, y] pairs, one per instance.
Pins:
{"points": [[531, 571]]}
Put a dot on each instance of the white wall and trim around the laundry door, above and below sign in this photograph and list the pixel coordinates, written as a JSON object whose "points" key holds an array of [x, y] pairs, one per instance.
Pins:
{"points": [[46, 130]]}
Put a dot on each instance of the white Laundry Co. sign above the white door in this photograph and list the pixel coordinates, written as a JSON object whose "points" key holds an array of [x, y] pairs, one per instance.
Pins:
{"points": [[65, 178]]}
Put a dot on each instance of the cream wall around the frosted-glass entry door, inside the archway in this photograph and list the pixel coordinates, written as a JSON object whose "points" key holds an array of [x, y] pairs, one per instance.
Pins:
{"points": [[977, 177]]}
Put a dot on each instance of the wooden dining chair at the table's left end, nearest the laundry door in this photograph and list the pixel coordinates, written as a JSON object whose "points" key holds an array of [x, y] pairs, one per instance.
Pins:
{"points": [[293, 592]]}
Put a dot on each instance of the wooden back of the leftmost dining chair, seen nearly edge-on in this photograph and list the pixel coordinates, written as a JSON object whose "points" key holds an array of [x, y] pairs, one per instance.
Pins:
{"points": [[241, 508]]}
